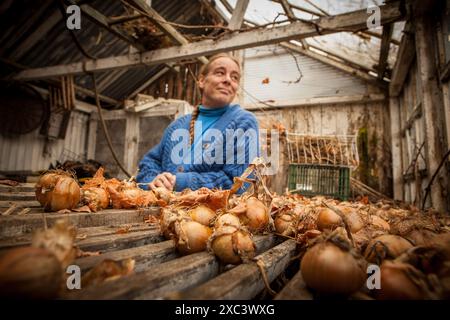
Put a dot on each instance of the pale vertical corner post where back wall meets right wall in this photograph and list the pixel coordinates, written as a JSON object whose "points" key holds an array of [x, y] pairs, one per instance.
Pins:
{"points": [[396, 148]]}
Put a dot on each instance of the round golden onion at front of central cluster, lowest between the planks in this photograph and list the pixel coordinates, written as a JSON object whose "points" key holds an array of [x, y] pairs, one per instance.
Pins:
{"points": [[232, 245]]}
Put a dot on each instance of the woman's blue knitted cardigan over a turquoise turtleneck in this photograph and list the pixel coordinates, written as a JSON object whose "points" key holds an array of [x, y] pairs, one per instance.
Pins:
{"points": [[196, 175]]}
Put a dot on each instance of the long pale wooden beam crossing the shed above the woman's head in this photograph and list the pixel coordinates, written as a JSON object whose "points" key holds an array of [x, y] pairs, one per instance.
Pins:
{"points": [[349, 21]]}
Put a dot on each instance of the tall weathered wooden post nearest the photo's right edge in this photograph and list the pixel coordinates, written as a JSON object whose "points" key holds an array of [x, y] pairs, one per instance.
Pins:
{"points": [[432, 108]]}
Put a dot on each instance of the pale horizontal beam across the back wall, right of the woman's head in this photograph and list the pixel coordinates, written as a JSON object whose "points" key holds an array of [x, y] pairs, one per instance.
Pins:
{"points": [[370, 98]]}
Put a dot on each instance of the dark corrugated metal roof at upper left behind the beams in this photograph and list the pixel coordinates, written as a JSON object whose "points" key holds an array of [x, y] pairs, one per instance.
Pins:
{"points": [[57, 46]]}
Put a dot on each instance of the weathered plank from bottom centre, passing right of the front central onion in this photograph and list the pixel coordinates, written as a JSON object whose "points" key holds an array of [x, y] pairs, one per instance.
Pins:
{"points": [[245, 281]]}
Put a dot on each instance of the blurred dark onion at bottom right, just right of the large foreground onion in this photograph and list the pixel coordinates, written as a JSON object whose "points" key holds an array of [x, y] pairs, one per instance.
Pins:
{"points": [[396, 283]]}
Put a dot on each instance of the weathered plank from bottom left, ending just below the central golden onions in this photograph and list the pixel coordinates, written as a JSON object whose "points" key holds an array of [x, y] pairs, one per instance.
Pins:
{"points": [[160, 279]]}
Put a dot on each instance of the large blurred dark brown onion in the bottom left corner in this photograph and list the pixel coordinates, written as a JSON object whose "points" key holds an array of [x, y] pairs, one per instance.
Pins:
{"points": [[28, 272]]}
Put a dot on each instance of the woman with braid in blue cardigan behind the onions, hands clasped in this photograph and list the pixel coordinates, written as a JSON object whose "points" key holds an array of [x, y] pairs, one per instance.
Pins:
{"points": [[221, 138]]}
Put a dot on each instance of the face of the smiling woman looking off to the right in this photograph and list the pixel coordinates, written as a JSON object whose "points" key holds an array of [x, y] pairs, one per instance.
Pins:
{"points": [[220, 84]]}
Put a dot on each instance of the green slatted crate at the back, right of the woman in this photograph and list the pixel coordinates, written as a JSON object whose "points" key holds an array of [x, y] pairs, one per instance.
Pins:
{"points": [[313, 180]]}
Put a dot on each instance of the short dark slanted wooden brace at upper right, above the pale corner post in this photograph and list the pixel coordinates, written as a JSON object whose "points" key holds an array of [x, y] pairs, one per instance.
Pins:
{"points": [[405, 58]]}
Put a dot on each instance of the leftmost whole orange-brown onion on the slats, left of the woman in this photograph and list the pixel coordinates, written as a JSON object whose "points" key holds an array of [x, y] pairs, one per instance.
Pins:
{"points": [[57, 191]]}
